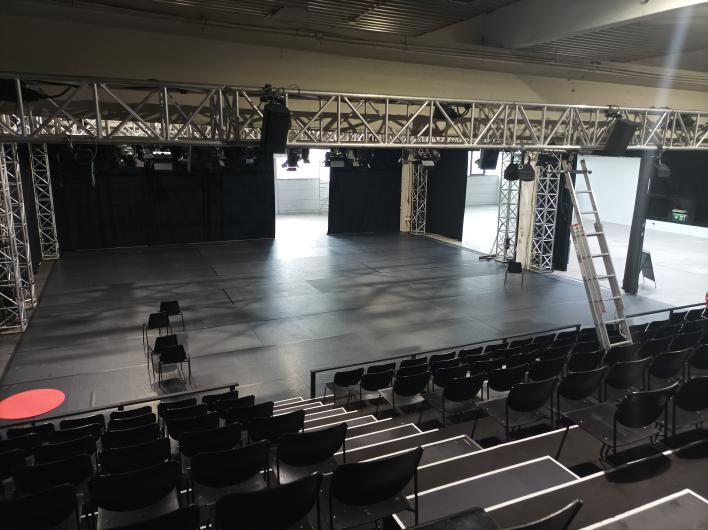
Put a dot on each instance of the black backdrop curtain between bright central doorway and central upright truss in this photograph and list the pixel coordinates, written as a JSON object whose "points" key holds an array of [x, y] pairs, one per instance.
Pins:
{"points": [[366, 199]]}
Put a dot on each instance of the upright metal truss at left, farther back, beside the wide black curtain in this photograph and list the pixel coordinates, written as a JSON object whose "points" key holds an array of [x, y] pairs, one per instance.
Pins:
{"points": [[44, 201]]}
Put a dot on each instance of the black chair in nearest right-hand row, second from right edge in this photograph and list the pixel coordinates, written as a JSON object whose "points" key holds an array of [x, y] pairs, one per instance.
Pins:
{"points": [[630, 421]]}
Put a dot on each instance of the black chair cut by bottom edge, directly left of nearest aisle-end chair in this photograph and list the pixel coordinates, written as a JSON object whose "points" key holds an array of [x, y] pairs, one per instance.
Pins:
{"points": [[255, 510]]}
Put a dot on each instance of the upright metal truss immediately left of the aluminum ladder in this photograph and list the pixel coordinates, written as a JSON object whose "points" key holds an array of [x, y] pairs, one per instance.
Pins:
{"points": [[544, 227]]}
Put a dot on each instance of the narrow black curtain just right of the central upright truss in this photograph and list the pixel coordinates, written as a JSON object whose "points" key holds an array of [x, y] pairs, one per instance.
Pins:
{"points": [[447, 186]]}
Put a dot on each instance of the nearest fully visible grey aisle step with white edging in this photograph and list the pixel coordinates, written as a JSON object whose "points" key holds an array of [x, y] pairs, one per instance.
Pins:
{"points": [[488, 489]]}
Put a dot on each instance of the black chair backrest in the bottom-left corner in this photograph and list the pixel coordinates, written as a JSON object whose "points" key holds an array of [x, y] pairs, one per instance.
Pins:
{"points": [[47, 509]]}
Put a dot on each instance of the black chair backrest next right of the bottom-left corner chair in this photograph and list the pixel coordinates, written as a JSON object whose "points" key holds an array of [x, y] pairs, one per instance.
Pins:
{"points": [[134, 489]]}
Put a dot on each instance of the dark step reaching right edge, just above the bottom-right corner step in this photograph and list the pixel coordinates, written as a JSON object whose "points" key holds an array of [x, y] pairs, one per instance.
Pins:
{"points": [[616, 491]]}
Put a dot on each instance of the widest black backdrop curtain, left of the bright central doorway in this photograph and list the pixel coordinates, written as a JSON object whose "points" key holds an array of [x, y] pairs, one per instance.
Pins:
{"points": [[132, 206]]}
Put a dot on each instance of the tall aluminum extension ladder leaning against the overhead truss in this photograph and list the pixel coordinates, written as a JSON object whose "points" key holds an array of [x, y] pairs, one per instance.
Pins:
{"points": [[587, 259]]}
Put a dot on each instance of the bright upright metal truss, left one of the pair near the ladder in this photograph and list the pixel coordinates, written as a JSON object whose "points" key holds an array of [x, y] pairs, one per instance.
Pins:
{"points": [[508, 214]]}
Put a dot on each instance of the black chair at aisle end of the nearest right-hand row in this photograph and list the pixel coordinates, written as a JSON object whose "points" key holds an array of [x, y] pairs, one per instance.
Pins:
{"points": [[522, 406]]}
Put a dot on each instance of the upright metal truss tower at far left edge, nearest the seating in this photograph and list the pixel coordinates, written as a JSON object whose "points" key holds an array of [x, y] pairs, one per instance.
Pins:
{"points": [[12, 297]]}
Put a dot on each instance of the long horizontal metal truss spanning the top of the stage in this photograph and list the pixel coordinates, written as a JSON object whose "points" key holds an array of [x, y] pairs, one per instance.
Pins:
{"points": [[51, 109]]}
